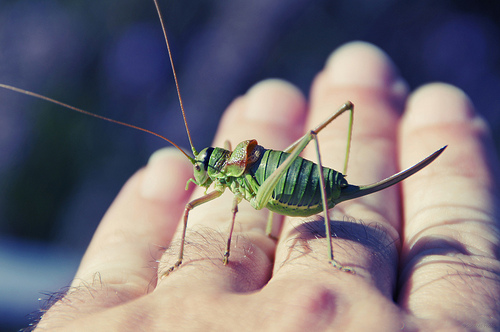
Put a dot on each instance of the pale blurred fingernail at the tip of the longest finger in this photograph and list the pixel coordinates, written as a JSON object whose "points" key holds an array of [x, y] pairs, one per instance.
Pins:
{"points": [[364, 65]]}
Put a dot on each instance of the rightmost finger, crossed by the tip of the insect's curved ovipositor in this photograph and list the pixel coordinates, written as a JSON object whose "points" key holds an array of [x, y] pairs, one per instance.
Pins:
{"points": [[451, 237]]}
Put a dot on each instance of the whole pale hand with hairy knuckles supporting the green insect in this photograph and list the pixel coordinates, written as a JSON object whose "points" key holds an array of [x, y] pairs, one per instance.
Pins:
{"points": [[425, 253]]}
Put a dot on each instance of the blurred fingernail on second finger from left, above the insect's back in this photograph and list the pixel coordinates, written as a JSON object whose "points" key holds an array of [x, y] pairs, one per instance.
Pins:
{"points": [[275, 101]]}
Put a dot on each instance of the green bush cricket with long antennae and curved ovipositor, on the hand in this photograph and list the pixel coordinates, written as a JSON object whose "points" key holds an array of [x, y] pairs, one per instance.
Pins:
{"points": [[281, 181]]}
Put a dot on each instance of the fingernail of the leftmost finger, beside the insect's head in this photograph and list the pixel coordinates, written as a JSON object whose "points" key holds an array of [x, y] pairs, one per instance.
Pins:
{"points": [[165, 175]]}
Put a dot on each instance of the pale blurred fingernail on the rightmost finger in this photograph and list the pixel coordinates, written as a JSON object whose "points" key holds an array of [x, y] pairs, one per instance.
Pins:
{"points": [[438, 103]]}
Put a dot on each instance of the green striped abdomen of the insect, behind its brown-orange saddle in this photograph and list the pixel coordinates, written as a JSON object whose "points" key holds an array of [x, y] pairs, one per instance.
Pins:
{"points": [[298, 192]]}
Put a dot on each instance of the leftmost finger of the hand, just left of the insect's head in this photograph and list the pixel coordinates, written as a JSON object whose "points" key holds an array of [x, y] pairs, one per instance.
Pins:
{"points": [[142, 220]]}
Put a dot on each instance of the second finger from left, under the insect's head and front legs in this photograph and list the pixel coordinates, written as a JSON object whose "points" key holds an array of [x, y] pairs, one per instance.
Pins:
{"points": [[271, 112]]}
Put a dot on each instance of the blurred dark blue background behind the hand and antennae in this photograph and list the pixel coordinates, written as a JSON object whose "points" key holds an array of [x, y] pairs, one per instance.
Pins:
{"points": [[59, 171]]}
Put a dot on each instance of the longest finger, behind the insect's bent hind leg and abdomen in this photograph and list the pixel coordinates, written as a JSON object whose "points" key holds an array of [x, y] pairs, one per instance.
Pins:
{"points": [[361, 73]]}
